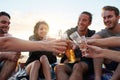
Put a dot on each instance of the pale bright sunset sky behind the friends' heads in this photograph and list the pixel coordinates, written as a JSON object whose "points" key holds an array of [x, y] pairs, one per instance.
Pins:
{"points": [[59, 14]]}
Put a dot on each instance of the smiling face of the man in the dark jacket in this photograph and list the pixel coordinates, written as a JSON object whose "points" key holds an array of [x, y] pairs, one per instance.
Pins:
{"points": [[83, 22]]}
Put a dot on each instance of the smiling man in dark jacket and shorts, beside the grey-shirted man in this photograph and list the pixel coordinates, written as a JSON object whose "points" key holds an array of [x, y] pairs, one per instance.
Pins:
{"points": [[76, 70]]}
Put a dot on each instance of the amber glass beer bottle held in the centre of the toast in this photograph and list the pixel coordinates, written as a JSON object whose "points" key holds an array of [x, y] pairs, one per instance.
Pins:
{"points": [[70, 53]]}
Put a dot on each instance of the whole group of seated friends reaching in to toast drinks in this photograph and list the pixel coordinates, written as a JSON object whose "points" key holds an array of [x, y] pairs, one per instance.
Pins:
{"points": [[102, 48]]}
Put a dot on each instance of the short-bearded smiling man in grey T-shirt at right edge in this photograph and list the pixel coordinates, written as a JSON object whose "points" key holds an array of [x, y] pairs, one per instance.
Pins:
{"points": [[111, 18]]}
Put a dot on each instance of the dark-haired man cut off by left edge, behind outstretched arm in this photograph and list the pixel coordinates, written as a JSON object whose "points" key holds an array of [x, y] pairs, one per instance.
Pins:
{"points": [[6, 58]]}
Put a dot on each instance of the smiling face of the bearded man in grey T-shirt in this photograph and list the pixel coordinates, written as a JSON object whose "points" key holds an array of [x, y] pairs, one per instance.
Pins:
{"points": [[110, 19]]}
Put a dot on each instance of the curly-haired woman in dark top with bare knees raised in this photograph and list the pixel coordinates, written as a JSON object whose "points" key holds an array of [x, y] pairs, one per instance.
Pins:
{"points": [[39, 60]]}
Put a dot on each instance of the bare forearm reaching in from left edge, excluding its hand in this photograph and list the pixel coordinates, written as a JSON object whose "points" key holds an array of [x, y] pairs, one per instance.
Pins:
{"points": [[14, 44]]}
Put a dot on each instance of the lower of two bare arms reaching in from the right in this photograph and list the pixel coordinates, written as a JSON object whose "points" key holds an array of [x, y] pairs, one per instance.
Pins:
{"points": [[97, 52]]}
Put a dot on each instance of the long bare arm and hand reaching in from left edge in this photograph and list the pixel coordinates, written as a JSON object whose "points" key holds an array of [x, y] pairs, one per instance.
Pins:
{"points": [[15, 44]]}
